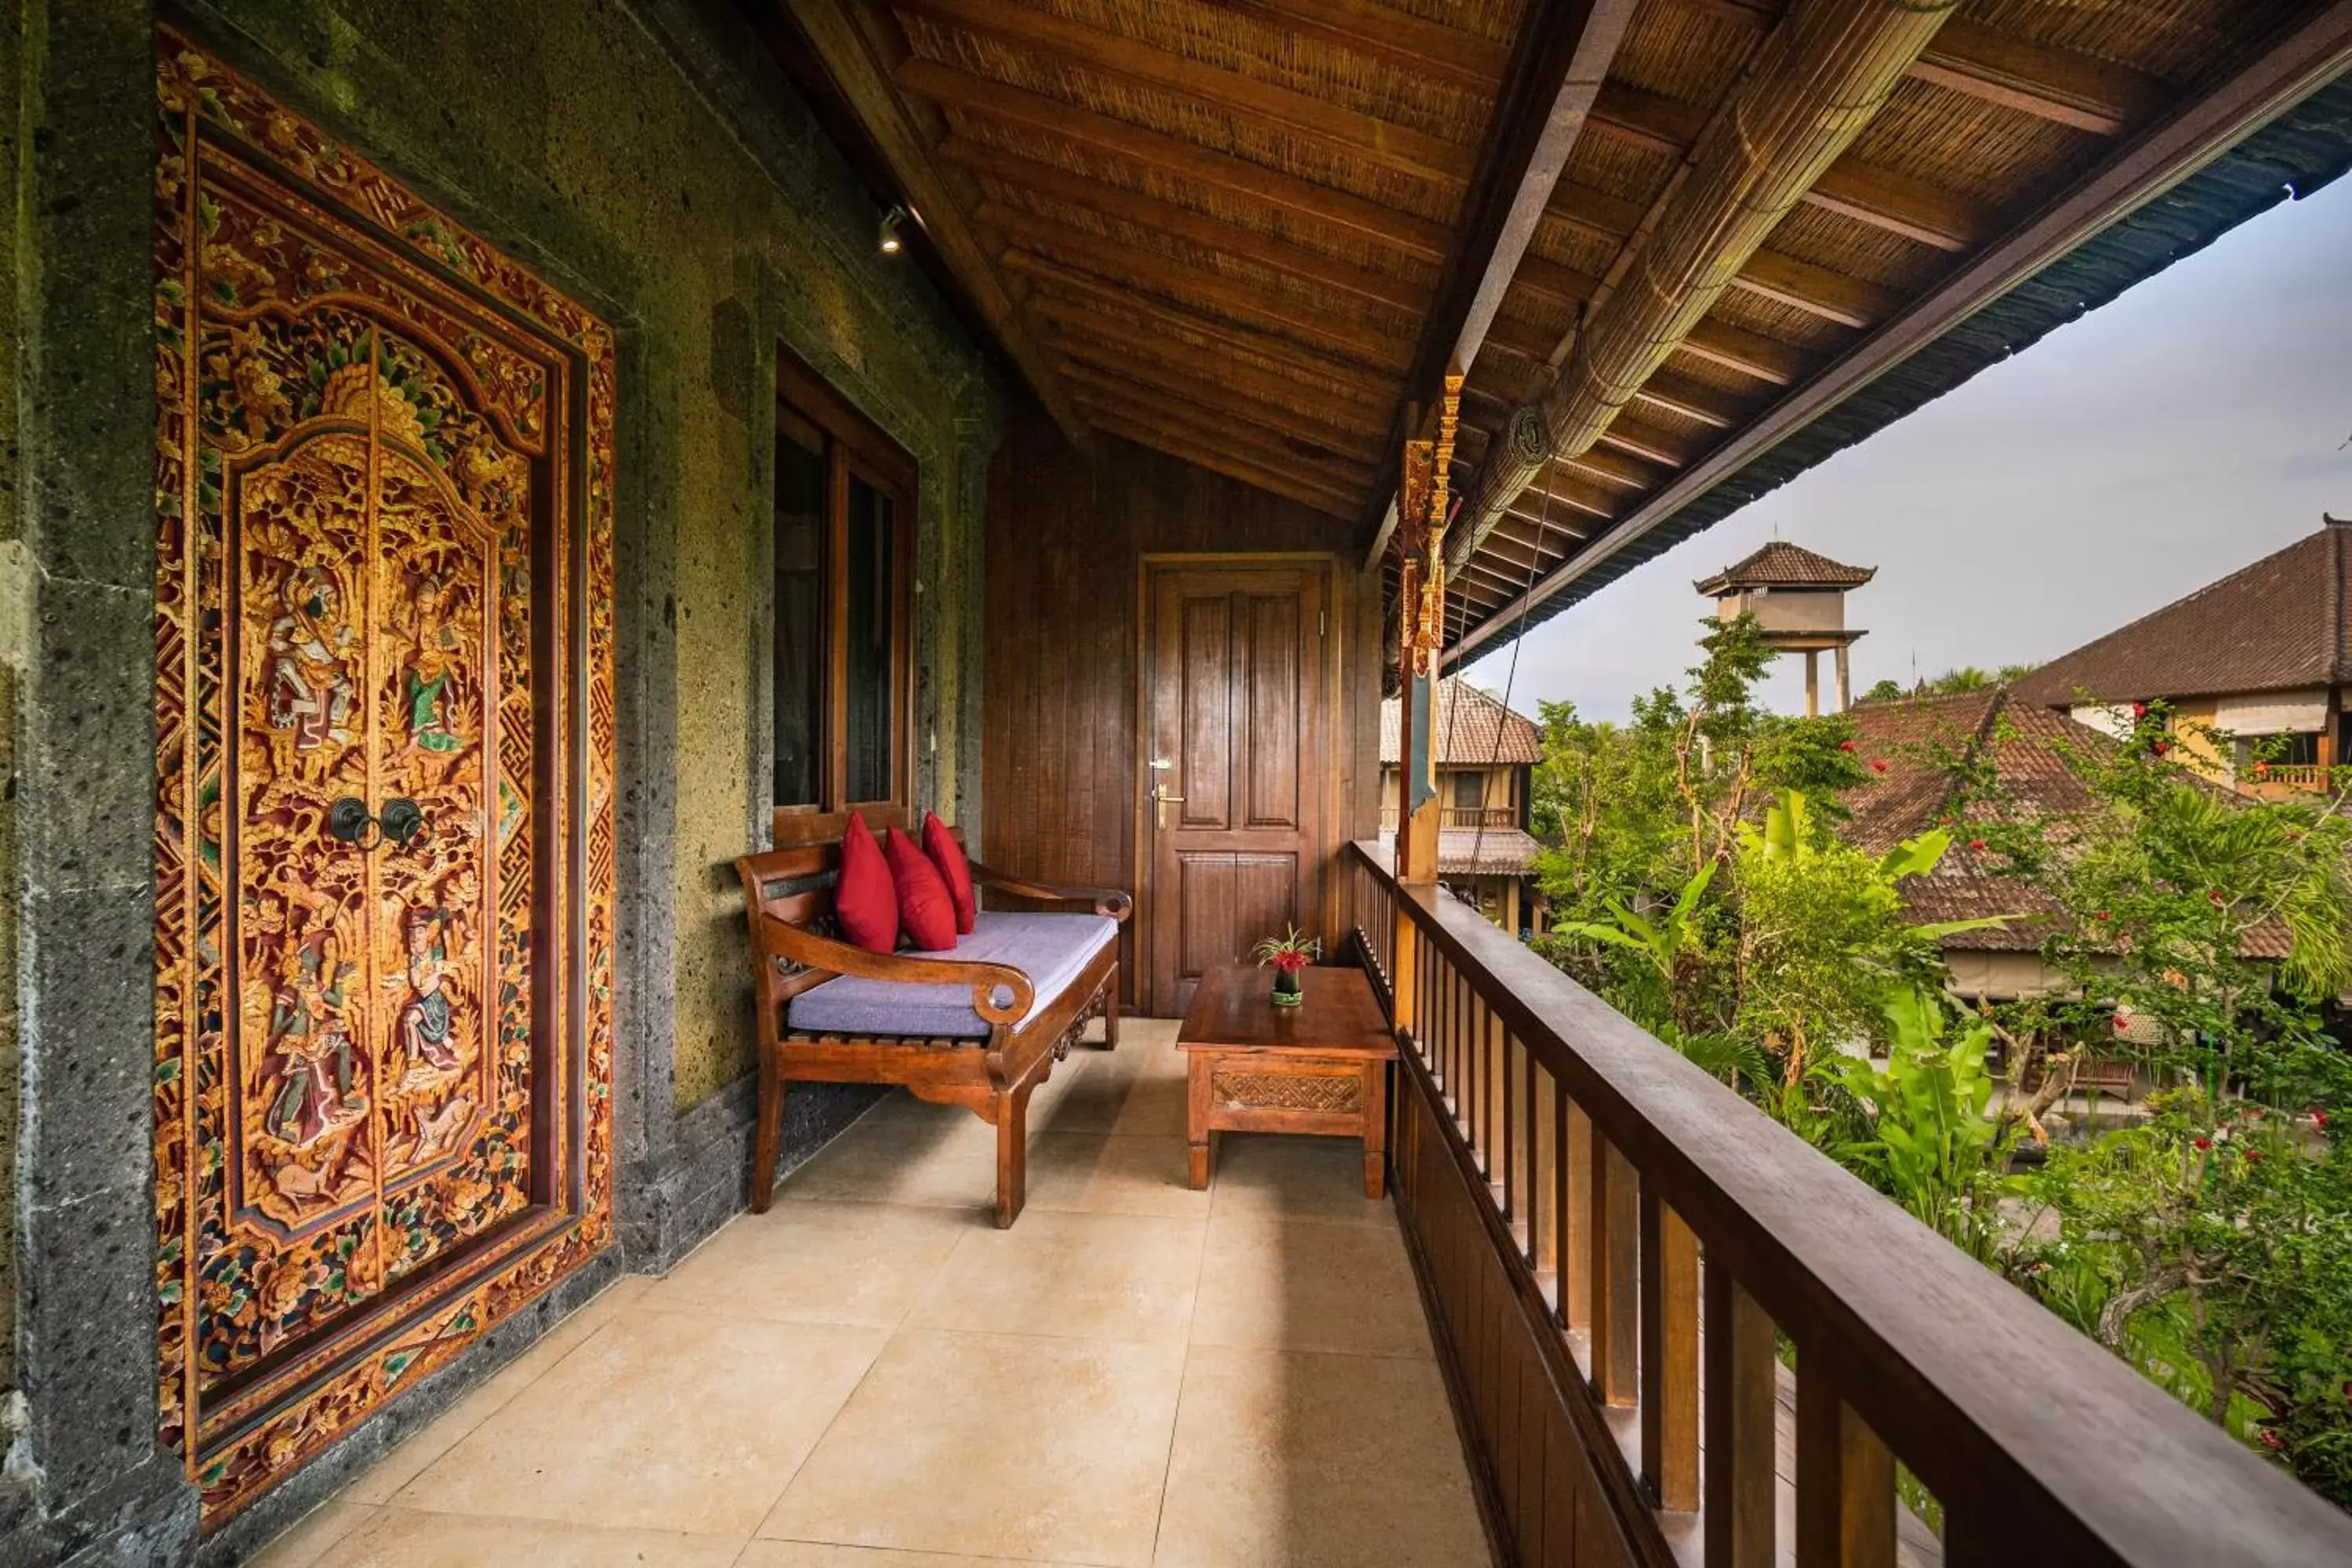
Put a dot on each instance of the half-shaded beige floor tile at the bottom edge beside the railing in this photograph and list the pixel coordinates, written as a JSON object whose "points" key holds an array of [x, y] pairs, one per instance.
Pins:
{"points": [[1316, 1461]]}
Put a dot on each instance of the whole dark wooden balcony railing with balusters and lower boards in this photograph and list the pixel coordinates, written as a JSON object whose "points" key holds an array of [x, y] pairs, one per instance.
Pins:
{"points": [[1582, 1200]]}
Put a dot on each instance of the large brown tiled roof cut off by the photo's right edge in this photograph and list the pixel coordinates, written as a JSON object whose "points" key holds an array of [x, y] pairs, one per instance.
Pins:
{"points": [[2271, 626]]}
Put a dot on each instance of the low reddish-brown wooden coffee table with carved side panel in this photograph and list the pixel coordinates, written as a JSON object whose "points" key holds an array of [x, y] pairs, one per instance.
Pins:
{"points": [[1311, 1068]]}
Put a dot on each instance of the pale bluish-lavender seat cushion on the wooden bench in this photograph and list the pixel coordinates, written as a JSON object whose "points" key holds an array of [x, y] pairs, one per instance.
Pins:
{"points": [[1048, 949]]}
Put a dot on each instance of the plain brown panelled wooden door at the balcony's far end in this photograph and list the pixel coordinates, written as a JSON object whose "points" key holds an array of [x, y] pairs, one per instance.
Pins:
{"points": [[1238, 735]]}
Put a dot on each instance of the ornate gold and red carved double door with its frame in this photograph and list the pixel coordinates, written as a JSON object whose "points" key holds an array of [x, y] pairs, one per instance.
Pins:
{"points": [[385, 836]]}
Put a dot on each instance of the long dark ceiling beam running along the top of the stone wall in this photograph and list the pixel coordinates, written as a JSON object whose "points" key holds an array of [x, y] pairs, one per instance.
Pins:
{"points": [[864, 83]]}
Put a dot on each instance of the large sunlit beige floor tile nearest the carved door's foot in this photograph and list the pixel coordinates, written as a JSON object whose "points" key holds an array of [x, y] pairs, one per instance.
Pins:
{"points": [[662, 1421]]}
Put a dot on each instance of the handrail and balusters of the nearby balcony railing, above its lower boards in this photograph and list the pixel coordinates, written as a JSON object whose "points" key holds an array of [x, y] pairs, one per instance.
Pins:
{"points": [[2038, 1445]]}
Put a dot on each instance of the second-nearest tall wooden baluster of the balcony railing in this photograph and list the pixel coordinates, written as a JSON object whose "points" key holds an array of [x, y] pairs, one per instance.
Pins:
{"points": [[1742, 1426]]}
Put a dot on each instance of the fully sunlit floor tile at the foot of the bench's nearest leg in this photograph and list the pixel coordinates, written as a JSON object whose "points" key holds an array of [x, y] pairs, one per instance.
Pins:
{"points": [[1083, 1275]]}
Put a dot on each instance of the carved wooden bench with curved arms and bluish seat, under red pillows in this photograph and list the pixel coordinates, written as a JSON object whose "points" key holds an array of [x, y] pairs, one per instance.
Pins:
{"points": [[956, 1031]]}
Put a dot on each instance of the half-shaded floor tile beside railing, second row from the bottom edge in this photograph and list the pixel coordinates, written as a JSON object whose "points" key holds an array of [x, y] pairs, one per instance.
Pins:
{"points": [[1274, 1285]]}
